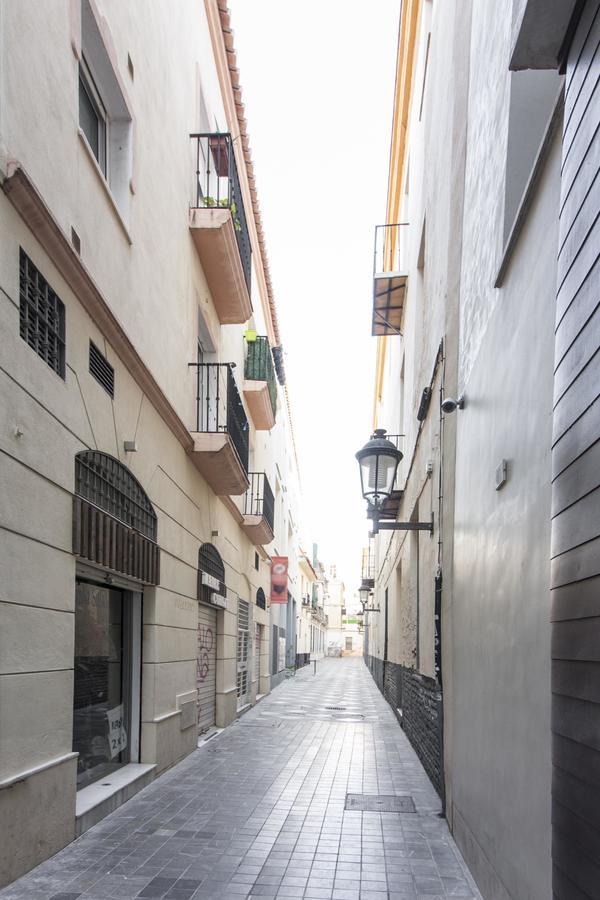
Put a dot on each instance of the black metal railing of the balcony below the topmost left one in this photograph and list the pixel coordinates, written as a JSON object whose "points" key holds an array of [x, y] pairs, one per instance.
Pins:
{"points": [[219, 407]]}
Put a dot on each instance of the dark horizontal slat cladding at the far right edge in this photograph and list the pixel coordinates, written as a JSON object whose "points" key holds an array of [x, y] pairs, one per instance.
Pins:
{"points": [[576, 483]]}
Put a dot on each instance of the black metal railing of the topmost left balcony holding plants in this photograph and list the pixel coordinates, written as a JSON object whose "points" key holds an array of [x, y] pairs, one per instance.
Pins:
{"points": [[218, 184]]}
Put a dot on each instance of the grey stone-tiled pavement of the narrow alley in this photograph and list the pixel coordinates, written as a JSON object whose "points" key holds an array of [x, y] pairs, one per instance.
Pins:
{"points": [[259, 811]]}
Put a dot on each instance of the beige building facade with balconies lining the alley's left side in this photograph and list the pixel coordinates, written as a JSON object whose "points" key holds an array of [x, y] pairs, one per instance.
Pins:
{"points": [[146, 436]]}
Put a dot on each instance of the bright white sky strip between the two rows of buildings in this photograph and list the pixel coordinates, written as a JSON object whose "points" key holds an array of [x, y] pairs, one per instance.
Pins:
{"points": [[317, 80]]}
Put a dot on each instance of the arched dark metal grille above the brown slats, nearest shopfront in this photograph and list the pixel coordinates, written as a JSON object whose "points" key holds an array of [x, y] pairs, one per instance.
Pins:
{"points": [[110, 486]]}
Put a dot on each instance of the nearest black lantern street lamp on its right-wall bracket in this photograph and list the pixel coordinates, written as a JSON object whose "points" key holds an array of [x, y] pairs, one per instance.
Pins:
{"points": [[378, 463]]}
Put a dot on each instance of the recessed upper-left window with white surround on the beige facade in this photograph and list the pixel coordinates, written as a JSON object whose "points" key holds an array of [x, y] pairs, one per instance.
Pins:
{"points": [[105, 120]]}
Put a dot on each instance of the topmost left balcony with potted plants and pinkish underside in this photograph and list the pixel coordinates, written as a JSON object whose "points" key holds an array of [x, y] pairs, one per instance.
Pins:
{"points": [[219, 228]]}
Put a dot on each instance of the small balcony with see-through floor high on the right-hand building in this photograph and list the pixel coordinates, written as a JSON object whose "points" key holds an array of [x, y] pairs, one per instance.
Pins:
{"points": [[390, 278]]}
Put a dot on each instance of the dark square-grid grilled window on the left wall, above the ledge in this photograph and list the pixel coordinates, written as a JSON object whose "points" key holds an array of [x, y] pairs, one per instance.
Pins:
{"points": [[41, 315]]}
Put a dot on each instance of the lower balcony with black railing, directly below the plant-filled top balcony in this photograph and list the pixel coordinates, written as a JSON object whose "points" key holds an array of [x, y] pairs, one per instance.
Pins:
{"points": [[221, 437]]}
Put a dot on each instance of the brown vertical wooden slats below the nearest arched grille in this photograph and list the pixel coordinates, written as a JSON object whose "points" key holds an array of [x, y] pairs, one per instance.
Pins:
{"points": [[102, 539]]}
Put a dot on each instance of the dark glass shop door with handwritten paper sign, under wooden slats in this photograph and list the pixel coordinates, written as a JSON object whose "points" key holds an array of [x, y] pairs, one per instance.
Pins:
{"points": [[106, 679]]}
